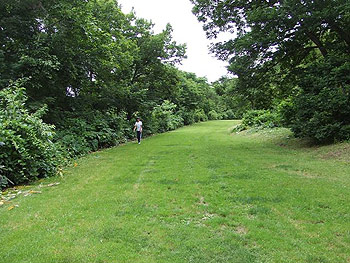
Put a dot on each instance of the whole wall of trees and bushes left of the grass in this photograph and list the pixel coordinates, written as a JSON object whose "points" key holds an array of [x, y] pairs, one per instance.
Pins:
{"points": [[74, 75]]}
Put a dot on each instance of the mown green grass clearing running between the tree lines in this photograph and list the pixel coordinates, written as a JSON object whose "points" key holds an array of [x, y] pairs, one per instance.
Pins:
{"points": [[198, 194]]}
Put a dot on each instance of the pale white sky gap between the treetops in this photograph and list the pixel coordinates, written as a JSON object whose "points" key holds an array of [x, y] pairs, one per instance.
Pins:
{"points": [[187, 30]]}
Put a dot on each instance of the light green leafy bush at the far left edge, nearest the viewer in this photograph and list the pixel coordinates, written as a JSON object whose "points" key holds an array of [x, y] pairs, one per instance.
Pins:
{"points": [[27, 150]]}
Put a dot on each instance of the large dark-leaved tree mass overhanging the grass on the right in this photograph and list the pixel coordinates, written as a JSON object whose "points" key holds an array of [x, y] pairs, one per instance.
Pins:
{"points": [[291, 57]]}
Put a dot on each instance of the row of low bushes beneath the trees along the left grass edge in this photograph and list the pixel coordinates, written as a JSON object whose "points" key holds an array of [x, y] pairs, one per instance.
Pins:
{"points": [[30, 149]]}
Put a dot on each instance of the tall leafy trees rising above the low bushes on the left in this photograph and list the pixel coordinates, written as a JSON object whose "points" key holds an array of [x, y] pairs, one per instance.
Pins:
{"points": [[83, 53]]}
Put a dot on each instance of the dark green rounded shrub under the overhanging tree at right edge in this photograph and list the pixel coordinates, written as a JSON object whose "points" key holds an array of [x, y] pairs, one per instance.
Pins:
{"points": [[321, 109]]}
